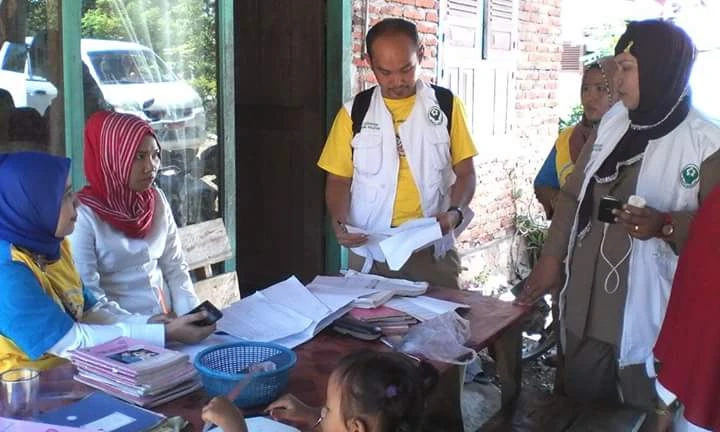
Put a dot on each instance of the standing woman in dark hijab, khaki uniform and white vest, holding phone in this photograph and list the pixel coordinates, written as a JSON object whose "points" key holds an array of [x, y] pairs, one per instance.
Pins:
{"points": [[640, 149]]}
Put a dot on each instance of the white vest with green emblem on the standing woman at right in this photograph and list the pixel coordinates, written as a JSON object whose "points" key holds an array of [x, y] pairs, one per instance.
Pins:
{"points": [[668, 183]]}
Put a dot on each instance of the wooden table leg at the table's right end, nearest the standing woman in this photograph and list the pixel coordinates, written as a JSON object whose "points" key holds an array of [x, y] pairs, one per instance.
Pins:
{"points": [[507, 352]]}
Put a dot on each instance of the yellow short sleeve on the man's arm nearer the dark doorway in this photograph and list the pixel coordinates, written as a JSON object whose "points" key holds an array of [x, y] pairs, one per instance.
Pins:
{"points": [[336, 157]]}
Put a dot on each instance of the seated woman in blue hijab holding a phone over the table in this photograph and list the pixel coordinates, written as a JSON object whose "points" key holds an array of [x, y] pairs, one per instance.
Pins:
{"points": [[44, 310]]}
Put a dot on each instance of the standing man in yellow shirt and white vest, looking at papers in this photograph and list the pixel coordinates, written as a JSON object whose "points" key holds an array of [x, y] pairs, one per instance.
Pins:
{"points": [[406, 160]]}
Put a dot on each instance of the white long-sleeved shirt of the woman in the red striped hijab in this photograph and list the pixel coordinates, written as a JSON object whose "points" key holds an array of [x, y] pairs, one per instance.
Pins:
{"points": [[126, 270]]}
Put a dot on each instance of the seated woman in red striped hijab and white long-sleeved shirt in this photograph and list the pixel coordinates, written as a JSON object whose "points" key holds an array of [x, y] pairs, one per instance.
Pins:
{"points": [[126, 243]]}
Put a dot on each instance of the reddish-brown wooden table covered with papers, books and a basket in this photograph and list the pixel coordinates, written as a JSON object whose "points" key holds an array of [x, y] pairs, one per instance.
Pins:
{"points": [[494, 324]]}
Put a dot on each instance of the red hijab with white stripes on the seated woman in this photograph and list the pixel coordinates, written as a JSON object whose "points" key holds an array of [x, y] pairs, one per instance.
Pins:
{"points": [[111, 141]]}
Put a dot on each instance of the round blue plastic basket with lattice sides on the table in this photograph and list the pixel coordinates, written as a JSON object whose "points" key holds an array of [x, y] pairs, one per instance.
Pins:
{"points": [[220, 368]]}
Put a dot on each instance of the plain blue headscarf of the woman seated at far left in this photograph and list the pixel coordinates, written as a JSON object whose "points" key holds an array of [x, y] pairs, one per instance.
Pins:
{"points": [[32, 186]]}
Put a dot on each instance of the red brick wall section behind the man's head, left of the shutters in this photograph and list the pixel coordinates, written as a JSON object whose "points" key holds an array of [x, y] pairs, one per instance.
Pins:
{"points": [[423, 12]]}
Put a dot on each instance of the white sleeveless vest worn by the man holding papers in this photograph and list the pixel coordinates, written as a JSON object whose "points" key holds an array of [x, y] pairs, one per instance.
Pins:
{"points": [[425, 139]]}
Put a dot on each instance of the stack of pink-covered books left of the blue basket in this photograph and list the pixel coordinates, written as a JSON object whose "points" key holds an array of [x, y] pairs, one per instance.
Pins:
{"points": [[136, 372]]}
